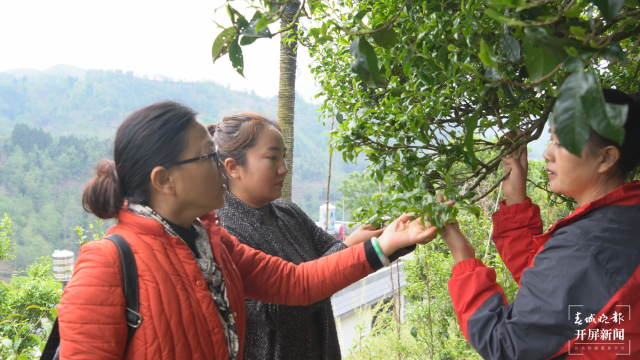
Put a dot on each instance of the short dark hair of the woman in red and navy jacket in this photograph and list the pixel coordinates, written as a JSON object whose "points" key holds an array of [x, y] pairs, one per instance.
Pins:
{"points": [[630, 148]]}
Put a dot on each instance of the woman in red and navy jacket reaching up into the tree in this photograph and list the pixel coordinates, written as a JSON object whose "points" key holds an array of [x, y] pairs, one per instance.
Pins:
{"points": [[579, 283]]}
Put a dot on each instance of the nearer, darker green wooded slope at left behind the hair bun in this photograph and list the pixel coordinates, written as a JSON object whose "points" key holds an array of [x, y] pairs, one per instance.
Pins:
{"points": [[41, 178]]}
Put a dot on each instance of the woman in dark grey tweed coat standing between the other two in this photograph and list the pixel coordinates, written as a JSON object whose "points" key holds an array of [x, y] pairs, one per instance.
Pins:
{"points": [[253, 152]]}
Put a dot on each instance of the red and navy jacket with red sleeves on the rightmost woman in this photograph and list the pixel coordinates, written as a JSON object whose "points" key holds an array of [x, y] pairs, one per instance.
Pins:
{"points": [[579, 284]]}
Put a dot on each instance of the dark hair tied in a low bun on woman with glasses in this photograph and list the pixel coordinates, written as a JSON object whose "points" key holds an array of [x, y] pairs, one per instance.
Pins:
{"points": [[153, 136]]}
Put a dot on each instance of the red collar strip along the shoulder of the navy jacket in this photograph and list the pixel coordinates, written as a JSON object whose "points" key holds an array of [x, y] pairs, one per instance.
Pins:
{"points": [[627, 194]]}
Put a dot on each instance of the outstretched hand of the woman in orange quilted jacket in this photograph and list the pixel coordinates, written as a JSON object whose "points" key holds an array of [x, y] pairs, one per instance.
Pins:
{"points": [[402, 233]]}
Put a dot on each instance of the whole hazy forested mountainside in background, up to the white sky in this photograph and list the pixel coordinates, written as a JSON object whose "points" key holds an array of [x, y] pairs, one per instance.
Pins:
{"points": [[54, 127]]}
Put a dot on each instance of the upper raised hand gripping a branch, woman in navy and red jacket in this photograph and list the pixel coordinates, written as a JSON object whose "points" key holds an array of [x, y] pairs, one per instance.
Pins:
{"points": [[515, 186]]}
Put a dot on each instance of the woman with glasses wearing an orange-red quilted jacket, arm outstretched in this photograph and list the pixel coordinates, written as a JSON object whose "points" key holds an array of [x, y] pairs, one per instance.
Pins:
{"points": [[163, 185]]}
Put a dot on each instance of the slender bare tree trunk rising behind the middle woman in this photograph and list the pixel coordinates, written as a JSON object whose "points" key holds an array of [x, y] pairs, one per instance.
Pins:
{"points": [[287, 91]]}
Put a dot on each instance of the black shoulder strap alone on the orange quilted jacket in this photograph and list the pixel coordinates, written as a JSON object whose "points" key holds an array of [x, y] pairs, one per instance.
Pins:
{"points": [[130, 283]]}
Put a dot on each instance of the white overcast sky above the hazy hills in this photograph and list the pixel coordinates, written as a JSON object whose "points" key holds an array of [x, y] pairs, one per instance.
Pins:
{"points": [[169, 38]]}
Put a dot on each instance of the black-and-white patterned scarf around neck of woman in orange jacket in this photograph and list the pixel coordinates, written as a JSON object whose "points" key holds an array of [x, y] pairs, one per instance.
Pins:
{"points": [[210, 270]]}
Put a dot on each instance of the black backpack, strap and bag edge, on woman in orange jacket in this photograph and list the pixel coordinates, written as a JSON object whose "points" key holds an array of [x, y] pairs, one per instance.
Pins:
{"points": [[131, 293]]}
